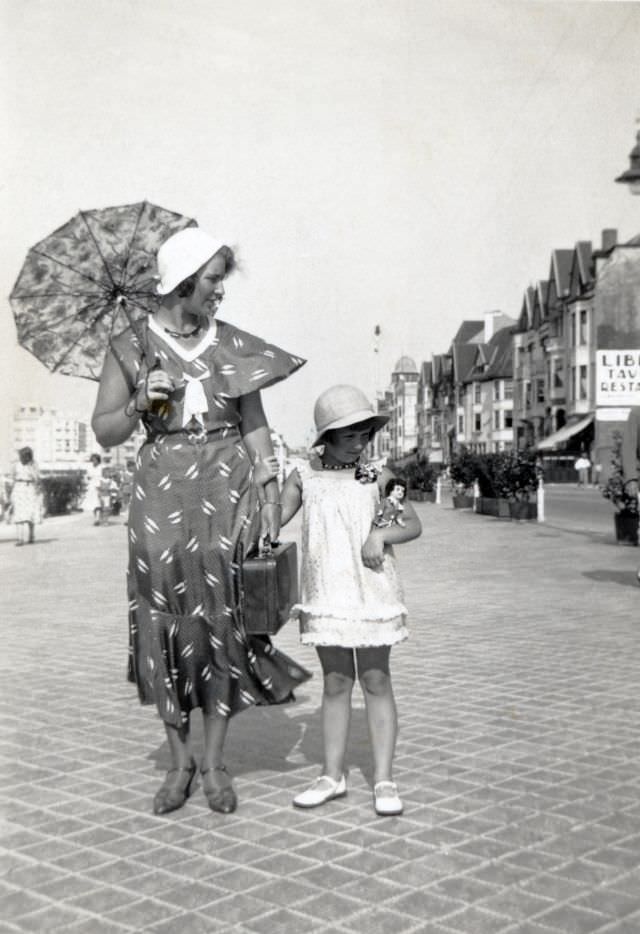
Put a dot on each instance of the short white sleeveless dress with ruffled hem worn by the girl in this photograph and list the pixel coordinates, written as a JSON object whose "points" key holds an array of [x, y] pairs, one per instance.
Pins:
{"points": [[343, 603]]}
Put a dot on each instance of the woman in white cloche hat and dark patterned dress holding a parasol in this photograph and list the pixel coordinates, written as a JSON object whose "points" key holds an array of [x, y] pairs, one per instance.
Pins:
{"points": [[195, 383]]}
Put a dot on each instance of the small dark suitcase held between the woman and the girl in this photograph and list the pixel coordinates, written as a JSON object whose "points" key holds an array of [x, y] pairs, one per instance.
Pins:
{"points": [[268, 588]]}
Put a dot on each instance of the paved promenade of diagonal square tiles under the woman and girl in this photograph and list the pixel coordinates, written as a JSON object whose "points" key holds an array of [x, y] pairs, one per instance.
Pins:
{"points": [[518, 758]]}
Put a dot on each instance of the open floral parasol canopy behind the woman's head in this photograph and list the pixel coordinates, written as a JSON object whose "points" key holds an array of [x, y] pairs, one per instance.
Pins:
{"points": [[88, 281]]}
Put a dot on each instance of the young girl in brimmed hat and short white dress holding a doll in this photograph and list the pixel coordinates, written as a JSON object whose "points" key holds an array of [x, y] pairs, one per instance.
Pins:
{"points": [[351, 608]]}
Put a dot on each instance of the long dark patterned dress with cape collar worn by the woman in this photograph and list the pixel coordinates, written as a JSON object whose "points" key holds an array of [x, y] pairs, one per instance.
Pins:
{"points": [[192, 504]]}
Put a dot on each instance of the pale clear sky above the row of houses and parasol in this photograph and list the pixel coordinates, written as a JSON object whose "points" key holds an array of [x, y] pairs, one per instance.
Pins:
{"points": [[402, 163]]}
